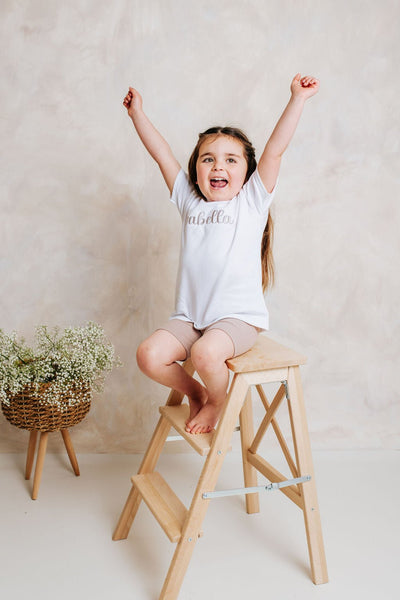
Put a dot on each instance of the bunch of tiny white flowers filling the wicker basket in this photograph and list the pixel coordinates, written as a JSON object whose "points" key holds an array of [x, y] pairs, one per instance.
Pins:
{"points": [[77, 358]]}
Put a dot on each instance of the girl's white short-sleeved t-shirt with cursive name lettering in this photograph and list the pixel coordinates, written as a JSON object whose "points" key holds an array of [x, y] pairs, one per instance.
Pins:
{"points": [[219, 273]]}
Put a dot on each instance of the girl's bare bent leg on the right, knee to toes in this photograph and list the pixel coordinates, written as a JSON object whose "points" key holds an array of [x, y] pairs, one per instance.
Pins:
{"points": [[208, 355]]}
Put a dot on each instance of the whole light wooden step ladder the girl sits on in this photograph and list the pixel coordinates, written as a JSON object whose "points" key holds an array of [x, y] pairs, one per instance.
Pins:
{"points": [[266, 362]]}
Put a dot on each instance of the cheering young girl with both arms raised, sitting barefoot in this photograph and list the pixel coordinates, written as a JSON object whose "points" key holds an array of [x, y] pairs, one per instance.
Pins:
{"points": [[226, 259]]}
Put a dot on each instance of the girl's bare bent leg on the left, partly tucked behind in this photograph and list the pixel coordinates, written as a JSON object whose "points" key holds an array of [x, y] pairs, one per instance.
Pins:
{"points": [[157, 357]]}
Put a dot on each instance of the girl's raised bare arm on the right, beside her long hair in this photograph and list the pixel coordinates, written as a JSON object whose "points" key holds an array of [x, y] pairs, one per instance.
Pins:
{"points": [[270, 161]]}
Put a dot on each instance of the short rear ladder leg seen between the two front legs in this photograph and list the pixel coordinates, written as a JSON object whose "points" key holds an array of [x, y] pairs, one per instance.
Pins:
{"points": [[247, 436]]}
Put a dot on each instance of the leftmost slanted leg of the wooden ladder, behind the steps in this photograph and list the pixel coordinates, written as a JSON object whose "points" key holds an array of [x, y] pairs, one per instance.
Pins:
{"points": [[148, 465]]}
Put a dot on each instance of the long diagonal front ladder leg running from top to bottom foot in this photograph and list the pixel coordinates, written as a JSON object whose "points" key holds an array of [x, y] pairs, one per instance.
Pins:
{"points": [[207, 482]]}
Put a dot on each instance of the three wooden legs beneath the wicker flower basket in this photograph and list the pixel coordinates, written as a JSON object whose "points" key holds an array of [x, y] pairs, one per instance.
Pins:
{"points": [[41, 453]]}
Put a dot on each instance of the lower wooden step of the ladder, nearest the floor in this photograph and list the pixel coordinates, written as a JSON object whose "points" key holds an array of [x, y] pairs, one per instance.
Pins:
{"points": [[163, 503]]}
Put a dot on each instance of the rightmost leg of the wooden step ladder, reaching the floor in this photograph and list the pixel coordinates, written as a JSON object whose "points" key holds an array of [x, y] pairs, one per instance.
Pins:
{"points": [[302, 447]]}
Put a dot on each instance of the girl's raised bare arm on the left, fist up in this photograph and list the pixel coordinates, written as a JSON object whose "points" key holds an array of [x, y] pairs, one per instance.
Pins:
{"points": [[152, 139]]}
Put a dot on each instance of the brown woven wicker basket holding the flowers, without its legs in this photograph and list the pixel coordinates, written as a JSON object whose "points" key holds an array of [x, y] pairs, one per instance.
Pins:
{"points": [[27, 410]]}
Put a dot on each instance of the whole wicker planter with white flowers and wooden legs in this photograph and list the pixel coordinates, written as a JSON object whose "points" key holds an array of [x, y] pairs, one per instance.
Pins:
{"points": [[47, 387]]}
